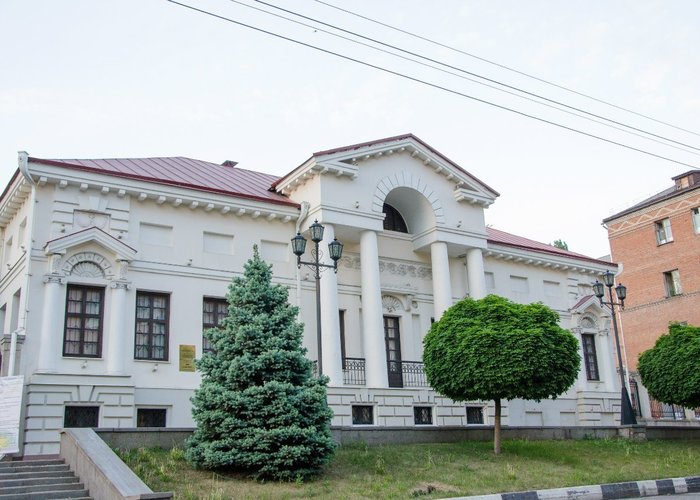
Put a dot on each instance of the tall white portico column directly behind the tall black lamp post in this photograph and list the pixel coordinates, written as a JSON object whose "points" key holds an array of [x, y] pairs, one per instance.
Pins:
{"points": [[330, 323]]}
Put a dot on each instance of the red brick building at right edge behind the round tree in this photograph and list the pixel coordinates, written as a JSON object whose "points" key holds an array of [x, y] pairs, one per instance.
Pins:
{"points": [[657, 244]]}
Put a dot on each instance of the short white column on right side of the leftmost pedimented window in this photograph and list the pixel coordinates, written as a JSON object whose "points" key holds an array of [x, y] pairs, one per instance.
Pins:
{"points": [[118, 339]]}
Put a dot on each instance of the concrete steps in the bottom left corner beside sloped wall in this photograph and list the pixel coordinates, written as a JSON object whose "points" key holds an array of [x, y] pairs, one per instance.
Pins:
{"points": [[39, 480]]}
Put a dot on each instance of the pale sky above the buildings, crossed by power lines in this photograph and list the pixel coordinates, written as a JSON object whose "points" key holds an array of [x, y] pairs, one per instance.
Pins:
{"points": [[143, 78]]}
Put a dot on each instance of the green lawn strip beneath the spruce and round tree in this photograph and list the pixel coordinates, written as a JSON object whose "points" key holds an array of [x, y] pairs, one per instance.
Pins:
{"points": [[434, 470]]}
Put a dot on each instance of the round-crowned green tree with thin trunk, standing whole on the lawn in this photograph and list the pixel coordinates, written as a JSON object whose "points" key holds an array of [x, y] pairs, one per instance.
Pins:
{"points": [[494, 349]]}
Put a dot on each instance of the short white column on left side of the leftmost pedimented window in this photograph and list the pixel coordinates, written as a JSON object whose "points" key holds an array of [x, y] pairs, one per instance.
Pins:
{"points": [[51, 323]]}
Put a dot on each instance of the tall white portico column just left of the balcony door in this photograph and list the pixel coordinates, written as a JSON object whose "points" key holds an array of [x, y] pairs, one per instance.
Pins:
{"points": [[372, 322]]}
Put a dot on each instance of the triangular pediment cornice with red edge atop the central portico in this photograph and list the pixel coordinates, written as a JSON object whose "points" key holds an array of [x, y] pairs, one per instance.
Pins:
{"points": [[347, 161]]}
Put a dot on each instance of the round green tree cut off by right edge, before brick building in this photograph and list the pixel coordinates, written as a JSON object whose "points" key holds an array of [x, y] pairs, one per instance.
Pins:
{"points": [[671, 369]]}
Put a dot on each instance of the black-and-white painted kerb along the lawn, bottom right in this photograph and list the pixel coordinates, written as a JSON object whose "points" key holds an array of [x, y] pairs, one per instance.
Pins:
{"points": [[689, 487]]}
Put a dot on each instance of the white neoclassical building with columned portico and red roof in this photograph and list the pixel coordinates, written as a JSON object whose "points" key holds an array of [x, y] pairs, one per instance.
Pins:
{"points": [[111, 269]]}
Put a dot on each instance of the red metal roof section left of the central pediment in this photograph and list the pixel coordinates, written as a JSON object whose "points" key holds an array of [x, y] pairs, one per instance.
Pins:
{"points": [[184, 172]]}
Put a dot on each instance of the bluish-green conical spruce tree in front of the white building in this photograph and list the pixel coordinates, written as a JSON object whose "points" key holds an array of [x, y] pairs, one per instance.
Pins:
{"points": [[259, 409]]}
